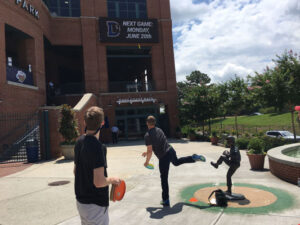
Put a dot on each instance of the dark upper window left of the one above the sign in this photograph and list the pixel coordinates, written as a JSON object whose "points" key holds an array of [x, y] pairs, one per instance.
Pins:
{"points": [[65, 8]]}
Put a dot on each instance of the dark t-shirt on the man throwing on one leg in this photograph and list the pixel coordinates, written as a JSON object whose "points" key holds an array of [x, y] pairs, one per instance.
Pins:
{"points": [[156, 137]]}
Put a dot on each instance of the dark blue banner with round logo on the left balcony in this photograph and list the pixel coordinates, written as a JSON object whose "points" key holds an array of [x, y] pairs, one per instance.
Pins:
{"points": [[19, 76]]}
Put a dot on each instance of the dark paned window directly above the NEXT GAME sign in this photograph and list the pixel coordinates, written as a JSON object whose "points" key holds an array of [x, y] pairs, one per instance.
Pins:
{"points": [[127, 9]]}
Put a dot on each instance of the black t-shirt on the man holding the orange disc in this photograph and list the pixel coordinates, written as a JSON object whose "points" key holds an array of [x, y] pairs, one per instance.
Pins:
{"points": [[89, 155]]}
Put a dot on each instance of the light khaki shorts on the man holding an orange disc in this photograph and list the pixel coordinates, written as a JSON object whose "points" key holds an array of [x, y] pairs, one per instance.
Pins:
{"points": [[91, 214]]}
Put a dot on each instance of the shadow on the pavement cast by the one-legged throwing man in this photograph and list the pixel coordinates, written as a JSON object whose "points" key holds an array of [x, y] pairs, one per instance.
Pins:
{"points": [[161, 212]]}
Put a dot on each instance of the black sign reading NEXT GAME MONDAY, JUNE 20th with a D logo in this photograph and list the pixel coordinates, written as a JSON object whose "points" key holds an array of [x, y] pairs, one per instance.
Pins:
{"points": [[128, 30]]}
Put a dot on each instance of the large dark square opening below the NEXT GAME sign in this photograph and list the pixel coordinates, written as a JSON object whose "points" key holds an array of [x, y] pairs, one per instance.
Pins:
{"points": [[133, 72]]}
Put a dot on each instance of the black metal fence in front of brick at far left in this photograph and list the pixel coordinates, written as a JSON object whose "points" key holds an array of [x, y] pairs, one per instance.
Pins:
{"points": [[16, 131]]}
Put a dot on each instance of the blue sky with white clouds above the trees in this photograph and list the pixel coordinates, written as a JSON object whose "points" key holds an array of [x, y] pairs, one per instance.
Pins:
{"points": [[226, 37]]}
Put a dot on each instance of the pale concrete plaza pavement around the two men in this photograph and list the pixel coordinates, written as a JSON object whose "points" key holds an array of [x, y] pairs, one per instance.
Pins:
{"points": [[26, 197]]}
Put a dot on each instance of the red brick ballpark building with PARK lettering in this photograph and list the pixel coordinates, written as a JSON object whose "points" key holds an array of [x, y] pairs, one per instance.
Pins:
{"points": [[54, 51]]}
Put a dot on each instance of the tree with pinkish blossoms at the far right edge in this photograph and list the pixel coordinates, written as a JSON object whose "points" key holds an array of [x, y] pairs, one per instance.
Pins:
{"points": [[279, 87]]}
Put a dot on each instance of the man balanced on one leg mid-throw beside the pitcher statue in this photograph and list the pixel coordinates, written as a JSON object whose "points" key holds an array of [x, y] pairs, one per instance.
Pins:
{"points": [[156, 142]]}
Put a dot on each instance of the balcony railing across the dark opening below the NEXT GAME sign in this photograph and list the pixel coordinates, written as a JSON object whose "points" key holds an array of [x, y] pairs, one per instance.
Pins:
{"points": [[131, 86]]}
